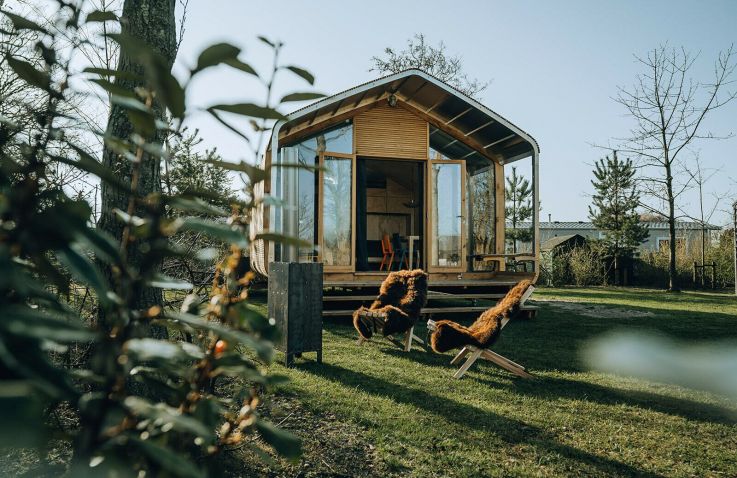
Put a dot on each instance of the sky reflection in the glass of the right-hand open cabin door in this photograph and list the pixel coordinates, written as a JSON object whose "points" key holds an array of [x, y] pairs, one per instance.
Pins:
{"points": [[446, 215]]}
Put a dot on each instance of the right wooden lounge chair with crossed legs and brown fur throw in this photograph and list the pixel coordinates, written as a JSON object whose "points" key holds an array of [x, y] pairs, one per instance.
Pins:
{"points": [[476, 339]]}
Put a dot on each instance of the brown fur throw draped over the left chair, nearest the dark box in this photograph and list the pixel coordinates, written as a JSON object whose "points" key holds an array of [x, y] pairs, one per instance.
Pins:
{"points": [[401, 298]]}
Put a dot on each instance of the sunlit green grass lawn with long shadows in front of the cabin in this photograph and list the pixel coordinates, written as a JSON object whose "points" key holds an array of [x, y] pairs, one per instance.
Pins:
{"points": [[402, 414]]}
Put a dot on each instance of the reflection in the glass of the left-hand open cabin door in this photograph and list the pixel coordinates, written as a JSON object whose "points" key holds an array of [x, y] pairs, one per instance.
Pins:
{"points": [[337, 186]]}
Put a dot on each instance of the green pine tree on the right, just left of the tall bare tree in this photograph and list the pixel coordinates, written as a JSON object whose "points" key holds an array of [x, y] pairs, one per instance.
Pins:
{"points": [[614, 209]]}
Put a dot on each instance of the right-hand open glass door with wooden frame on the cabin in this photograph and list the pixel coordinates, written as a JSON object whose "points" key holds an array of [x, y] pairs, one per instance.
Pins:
{"points": [[446, 190]]}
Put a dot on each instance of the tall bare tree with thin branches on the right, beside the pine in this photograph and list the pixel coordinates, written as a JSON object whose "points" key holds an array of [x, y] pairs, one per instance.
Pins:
{"points": [[668, 108]]}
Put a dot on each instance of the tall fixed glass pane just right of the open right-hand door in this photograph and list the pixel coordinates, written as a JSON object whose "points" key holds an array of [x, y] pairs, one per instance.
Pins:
{"points": [[482, 206]]}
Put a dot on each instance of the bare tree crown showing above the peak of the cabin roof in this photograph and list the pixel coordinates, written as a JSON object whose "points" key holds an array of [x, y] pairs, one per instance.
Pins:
{"points": [[433, 60]]}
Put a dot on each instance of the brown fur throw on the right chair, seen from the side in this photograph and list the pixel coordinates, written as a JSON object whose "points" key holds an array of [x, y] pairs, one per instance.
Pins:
{"points": [[485, 330]]}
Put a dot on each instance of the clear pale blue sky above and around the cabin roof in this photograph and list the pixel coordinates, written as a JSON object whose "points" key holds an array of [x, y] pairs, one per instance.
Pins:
{"points": [[553, 66]]}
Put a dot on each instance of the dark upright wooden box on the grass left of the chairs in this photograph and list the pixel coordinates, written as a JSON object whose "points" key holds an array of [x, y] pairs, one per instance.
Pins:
{"points": [[295, 302]]}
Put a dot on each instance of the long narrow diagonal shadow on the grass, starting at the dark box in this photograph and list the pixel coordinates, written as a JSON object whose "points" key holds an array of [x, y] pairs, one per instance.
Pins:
{"points": [[509, 430]]}
